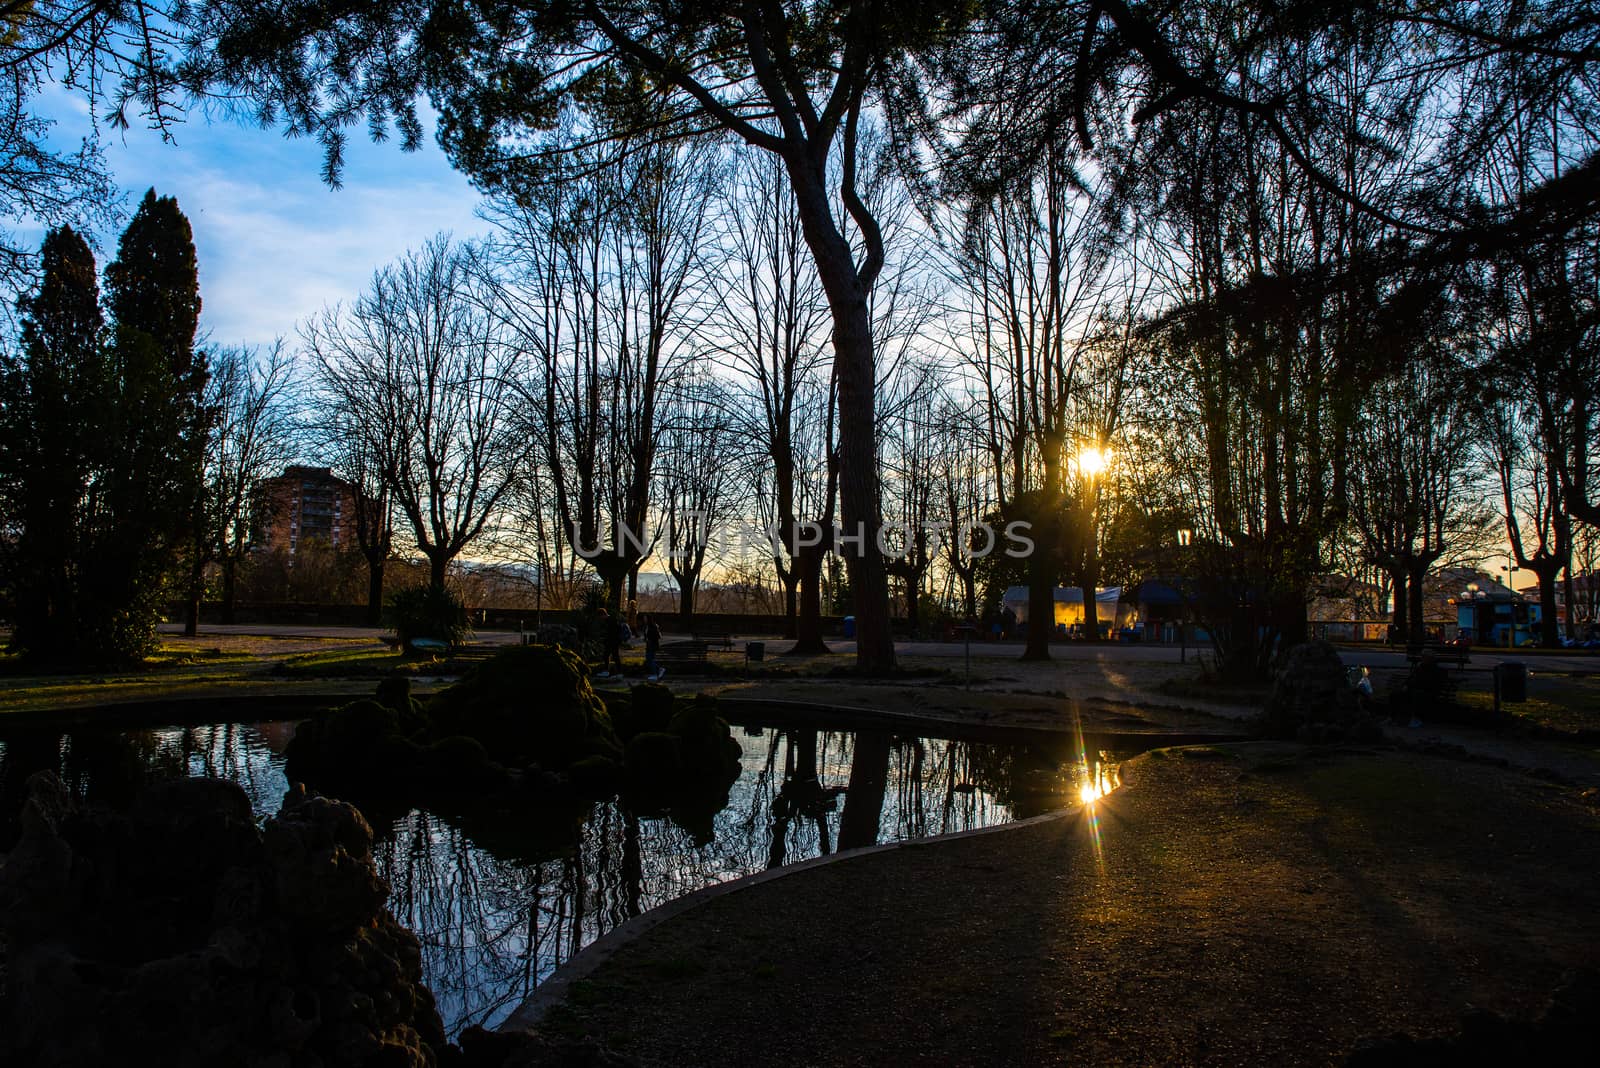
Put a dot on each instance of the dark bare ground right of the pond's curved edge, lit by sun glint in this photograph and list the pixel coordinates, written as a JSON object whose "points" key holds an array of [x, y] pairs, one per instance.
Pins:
{"points": [[1249, 907]]}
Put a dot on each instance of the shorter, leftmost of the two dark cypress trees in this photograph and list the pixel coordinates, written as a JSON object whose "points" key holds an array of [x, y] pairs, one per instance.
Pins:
{"points": [[52, 394]]}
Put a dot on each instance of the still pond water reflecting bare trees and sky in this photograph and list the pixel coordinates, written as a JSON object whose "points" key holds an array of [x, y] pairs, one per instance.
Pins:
{"points": [[498, 906]]}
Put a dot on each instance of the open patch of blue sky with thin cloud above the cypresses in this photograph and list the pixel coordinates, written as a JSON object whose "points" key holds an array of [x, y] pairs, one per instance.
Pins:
{"points": [[274, 242]]}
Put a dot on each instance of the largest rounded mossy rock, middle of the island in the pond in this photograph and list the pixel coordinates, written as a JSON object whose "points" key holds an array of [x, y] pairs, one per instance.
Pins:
{"points": [[529, 704]]}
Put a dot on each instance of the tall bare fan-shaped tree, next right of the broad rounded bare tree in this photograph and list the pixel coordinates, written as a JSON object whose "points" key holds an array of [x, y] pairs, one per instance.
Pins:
{"points": [[612, 265]]}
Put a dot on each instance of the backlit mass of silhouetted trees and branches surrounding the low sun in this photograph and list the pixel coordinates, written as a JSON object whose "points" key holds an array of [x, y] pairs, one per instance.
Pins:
{"points": [[1321, 279]]}
